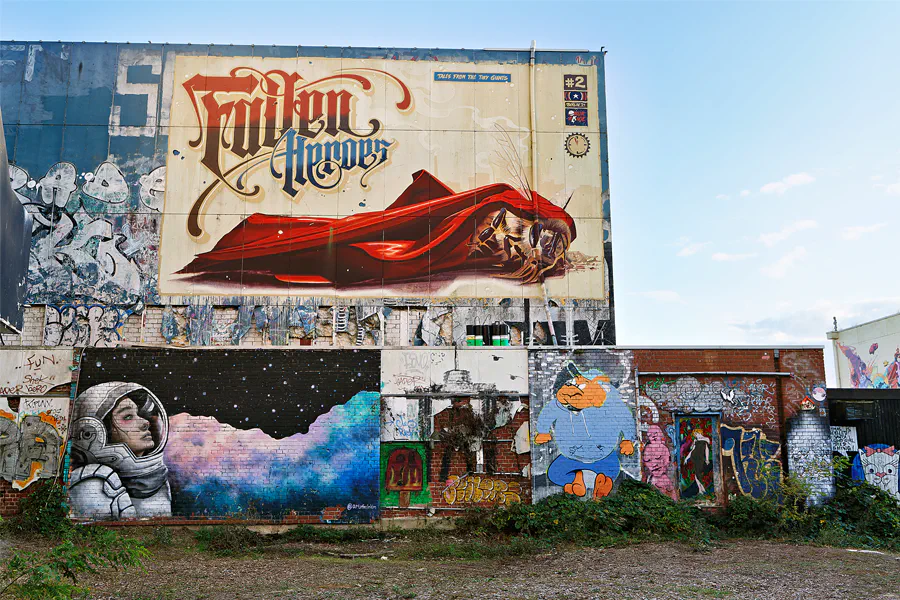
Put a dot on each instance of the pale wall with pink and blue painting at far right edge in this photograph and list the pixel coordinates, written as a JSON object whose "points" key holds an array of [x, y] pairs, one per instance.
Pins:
{"points": [[868, 355]]}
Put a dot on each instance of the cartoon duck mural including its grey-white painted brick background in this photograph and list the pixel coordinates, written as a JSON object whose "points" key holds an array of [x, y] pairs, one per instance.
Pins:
{"points": [[585, 433]]}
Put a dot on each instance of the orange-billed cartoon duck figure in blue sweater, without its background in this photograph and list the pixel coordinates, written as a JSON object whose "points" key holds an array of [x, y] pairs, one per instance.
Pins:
{"points": [[591, 427]]}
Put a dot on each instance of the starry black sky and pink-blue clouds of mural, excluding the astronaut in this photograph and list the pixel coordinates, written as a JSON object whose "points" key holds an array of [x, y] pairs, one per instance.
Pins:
{"points": [[266, 432]]}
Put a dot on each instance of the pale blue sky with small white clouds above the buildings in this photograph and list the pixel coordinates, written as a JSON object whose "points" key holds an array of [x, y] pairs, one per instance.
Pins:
{"points": [[754, 147]]}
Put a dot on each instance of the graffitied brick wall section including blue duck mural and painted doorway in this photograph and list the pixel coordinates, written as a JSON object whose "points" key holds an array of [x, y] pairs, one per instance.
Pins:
{"points": [[677, 420]]}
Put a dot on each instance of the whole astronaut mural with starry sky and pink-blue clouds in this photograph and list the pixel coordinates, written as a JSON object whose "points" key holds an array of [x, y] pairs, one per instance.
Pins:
{"points": [[159, 433]]}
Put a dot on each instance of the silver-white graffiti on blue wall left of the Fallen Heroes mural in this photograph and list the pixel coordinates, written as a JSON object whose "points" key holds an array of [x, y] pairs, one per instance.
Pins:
{"points": [[88, 241]]}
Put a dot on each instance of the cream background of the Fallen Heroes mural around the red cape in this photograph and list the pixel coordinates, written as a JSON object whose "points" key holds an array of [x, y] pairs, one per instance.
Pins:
{"points": [[467, 134]]}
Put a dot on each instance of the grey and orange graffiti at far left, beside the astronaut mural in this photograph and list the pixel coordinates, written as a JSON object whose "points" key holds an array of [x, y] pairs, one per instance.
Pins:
{"points": [[31, 439]]}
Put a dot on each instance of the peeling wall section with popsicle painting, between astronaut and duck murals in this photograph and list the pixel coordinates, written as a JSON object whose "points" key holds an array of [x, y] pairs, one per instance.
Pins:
{"points": [[455, 427]]}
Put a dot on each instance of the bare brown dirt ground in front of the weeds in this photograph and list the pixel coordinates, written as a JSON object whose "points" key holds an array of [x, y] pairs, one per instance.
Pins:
{"points": [[732, 569]]}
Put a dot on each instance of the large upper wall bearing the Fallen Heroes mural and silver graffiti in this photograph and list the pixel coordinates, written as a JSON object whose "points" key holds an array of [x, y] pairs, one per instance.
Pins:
{"points": [[220, 195]]}
